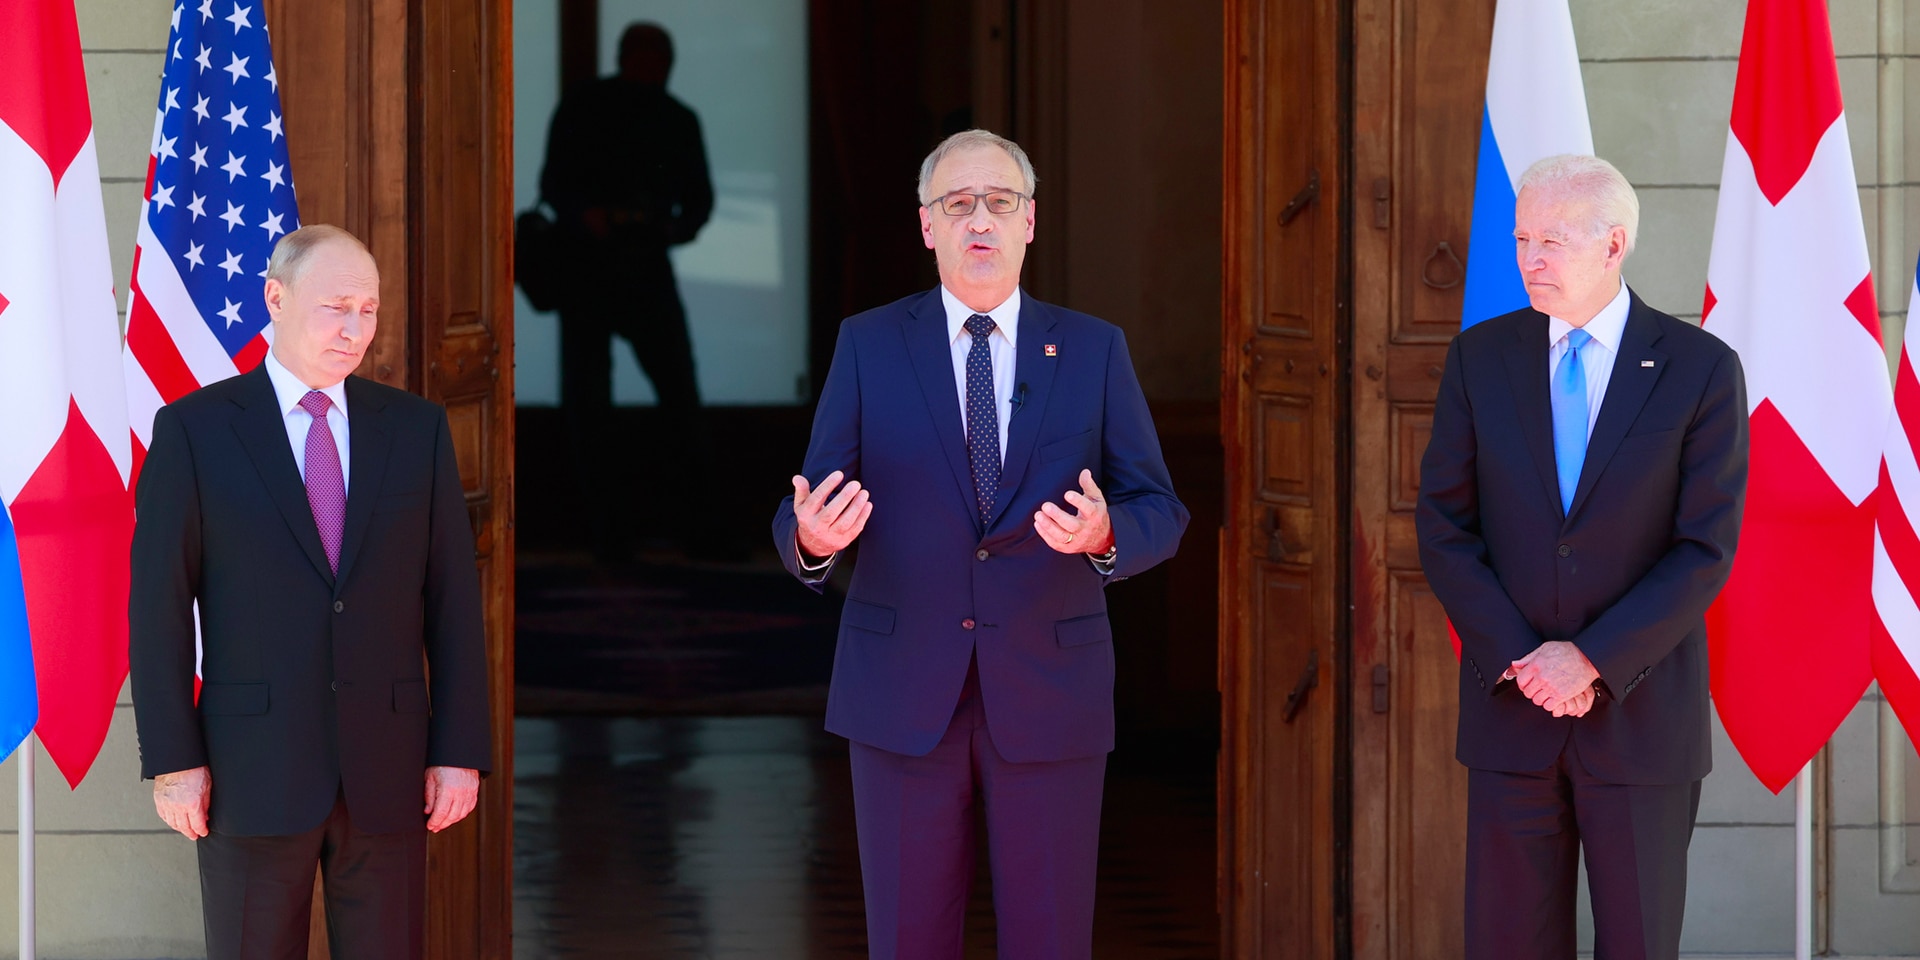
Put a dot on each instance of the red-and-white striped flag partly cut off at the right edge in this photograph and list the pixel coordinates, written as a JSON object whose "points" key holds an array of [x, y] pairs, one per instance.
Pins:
{"points": [[1896, 646]]}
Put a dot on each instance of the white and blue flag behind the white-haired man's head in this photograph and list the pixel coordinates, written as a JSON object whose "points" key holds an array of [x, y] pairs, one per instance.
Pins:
{"points": [[1535, 110]]}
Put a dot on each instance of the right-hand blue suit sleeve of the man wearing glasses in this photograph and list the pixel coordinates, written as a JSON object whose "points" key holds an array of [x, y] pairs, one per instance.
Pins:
{"points": [[1140, 494]]}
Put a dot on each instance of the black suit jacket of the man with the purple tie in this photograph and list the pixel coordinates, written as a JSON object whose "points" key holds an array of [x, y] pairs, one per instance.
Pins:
{"points": [[314, 683]]}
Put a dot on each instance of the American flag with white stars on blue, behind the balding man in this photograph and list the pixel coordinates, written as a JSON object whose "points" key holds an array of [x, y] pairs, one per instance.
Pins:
{"points": [[218, 197]]}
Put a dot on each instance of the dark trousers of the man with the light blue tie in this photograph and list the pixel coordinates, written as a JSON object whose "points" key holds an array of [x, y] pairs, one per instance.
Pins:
{"points": [[1525, 834]]}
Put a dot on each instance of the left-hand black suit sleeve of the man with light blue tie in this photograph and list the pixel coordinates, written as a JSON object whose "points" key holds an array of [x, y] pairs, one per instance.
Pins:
{"points": [[1452, 550]]}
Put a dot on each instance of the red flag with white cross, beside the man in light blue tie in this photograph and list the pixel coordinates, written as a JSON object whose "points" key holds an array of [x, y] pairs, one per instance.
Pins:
{"points": [[1790, 287]]}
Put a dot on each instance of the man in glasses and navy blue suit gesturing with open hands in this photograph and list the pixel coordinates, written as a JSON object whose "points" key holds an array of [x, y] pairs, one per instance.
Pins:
{"points": [[1020, 473]]}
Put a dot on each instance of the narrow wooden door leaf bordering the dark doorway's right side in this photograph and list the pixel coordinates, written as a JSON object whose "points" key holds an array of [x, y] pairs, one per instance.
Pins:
{"points": [[1285, 540]]}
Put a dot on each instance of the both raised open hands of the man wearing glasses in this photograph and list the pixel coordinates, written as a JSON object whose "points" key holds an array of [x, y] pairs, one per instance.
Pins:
{"points": [[830, 521]]}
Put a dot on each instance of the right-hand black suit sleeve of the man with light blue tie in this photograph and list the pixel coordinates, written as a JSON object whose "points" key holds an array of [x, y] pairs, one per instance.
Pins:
{"points": [[1669, 602]]}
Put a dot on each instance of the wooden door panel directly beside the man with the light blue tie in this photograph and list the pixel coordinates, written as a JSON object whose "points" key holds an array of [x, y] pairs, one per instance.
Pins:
{"points": [[1418, 93]]}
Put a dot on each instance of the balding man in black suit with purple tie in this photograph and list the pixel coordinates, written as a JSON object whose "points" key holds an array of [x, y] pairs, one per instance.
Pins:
{"points": [[320, 523]]}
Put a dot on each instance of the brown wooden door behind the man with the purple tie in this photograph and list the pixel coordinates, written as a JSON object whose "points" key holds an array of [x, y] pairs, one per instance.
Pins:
{"points": [[398, 122]]}
